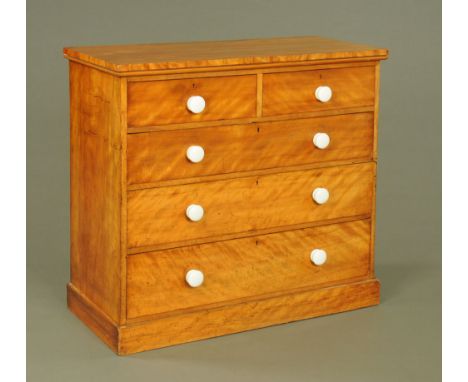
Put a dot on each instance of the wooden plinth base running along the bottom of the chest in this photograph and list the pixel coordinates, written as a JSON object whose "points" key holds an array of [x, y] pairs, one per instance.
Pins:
{"points": [[191, 326]]}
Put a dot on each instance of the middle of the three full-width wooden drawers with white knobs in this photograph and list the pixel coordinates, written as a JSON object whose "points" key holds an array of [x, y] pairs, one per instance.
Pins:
{"points": [[158, 215]]}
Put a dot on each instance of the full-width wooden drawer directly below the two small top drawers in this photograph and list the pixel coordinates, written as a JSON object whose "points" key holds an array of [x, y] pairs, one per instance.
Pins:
{"points": [[164, 155]]}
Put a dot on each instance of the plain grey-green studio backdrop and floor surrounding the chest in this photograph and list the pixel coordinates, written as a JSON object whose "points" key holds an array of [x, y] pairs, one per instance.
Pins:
{"points": [[400, 340]]}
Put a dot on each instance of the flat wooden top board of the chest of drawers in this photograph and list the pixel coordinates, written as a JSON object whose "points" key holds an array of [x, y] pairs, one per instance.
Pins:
{"points": [[145, 57]]}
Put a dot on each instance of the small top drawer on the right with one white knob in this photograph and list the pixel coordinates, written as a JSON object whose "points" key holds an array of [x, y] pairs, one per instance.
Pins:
{"points": [[295, 92]]}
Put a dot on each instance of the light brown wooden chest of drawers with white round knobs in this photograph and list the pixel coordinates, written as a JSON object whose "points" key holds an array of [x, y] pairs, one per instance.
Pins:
{"points": [[218, 187]]}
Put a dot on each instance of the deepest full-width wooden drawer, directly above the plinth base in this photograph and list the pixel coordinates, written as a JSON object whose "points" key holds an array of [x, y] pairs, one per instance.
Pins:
{"points": [[242, 268]]}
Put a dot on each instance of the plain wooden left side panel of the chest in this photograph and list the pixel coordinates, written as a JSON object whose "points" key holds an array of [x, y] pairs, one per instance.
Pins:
{"points": [[96, 193]]}
